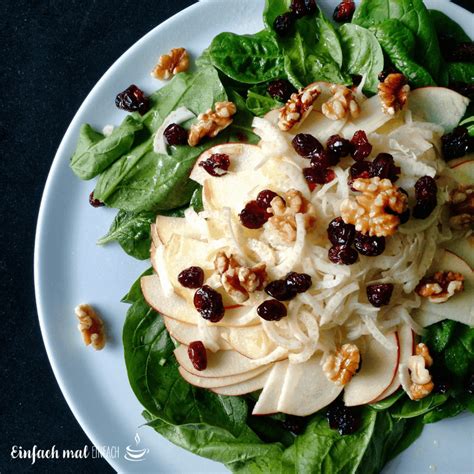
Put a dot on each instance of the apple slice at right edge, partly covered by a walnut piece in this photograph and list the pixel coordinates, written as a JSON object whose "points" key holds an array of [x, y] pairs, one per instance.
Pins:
{"points": [[459, 307]]}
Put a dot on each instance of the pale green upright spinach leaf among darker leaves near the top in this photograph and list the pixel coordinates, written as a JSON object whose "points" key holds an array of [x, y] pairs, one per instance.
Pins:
{"points": [[362, 54]]}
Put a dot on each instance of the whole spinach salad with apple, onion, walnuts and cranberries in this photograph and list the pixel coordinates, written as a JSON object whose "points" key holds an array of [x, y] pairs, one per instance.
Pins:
{"points": [[305, 198]]}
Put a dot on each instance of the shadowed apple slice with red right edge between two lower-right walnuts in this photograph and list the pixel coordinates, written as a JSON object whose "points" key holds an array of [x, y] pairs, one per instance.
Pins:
{"points": [[378, 369]]}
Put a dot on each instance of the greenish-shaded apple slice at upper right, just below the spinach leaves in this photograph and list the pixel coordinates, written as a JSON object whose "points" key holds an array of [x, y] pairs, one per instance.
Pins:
{"points": [[438, 105]]}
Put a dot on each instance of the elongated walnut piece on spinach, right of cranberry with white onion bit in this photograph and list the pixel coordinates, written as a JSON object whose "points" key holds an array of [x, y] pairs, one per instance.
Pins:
{"points": [[210, 123]]}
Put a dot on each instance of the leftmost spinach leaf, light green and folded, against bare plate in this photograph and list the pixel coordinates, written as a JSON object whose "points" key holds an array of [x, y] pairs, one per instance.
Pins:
{"points": [[95, 152]]}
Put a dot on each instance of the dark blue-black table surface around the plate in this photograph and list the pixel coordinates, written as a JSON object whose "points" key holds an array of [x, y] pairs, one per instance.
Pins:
{"points": [[54, 53]]}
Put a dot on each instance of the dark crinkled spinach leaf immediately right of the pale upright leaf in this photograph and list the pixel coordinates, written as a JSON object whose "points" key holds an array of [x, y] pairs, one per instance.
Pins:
{"points": [[398, 43]]}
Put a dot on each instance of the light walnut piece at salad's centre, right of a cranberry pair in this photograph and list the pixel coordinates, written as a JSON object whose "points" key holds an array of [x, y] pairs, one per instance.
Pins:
{"points": [[284, 210]]}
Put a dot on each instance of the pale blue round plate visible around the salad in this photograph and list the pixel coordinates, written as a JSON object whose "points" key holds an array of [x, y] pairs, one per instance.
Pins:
{"points": [[70, 269]]}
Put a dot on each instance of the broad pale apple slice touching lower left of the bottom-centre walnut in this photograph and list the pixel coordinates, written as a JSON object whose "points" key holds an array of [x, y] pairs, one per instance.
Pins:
{"points": [[306, 389]]}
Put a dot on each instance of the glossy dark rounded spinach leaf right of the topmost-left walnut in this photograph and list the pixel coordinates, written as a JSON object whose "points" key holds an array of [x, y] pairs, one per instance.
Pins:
{"points": [[250, 59]]}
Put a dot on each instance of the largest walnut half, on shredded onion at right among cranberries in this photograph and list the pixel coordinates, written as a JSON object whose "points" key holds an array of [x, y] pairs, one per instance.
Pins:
{"points": [[369, 211]]}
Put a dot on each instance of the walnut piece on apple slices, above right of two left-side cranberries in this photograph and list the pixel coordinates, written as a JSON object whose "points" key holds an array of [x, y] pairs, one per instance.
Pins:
{"points": [[237, 279]]}
